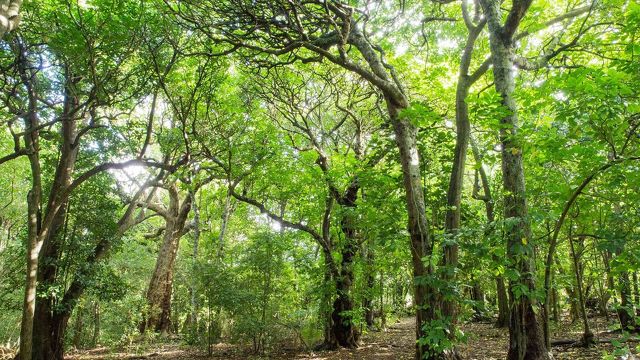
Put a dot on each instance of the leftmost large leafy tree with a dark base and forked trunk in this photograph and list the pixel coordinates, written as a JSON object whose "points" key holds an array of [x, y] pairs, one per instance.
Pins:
{"points": [[68, 106]]}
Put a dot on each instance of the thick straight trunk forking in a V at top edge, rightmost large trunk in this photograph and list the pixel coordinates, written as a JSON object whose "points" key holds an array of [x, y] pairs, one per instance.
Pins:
{"points": [[526, 338]]}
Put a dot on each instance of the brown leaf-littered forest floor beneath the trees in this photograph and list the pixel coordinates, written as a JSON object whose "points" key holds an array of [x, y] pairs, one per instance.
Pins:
{"points": [[484, 342]]}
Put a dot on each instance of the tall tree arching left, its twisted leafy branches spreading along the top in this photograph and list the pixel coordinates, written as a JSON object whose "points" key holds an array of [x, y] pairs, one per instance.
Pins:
{"points": [[276, 32]]}
